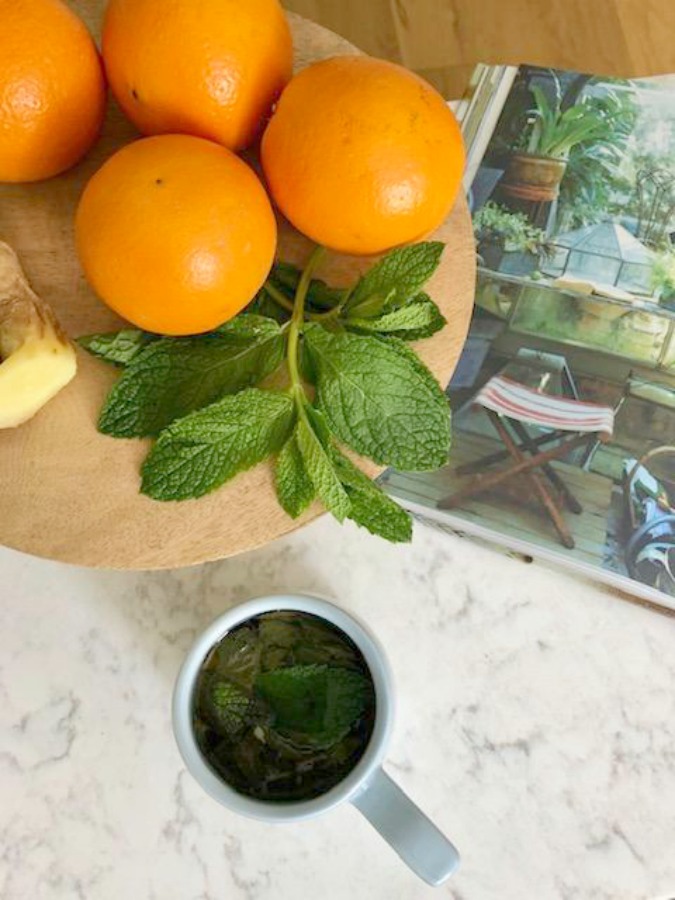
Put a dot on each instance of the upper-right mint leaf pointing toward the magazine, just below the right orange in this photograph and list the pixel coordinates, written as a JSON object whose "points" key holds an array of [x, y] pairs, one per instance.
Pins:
{"points": [[395, 279]]}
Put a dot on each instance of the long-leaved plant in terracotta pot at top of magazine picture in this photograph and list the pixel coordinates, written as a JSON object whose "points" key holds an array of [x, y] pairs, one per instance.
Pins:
{"points": [[551, 132]]}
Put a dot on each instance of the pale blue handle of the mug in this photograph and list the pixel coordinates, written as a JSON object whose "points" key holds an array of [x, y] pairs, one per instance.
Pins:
{"points": [[405, 827]]}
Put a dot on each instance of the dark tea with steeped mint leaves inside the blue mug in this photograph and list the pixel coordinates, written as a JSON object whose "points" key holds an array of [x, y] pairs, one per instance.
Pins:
{"points": [[284, 707]]}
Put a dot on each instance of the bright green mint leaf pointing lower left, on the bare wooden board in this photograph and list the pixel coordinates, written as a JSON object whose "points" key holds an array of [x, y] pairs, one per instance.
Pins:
{"points": [[200, 452]]}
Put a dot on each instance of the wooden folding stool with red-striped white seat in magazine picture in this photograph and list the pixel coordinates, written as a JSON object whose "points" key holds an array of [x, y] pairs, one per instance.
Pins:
{"points": [[569, 423]]}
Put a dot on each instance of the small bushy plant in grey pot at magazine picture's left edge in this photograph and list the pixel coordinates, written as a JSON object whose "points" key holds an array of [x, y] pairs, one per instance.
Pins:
{"points": [[507, 241]]}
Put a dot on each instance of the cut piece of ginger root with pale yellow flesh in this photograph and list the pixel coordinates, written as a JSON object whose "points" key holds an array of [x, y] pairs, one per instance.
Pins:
{"points": [[36, 357]]}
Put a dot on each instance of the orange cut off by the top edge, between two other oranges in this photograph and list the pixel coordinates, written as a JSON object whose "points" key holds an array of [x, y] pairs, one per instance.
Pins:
{"points": [[212, 68]]}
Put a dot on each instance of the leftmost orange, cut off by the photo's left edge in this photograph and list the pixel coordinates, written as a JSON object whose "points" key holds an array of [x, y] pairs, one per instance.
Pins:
{"points": [[52, 91]]}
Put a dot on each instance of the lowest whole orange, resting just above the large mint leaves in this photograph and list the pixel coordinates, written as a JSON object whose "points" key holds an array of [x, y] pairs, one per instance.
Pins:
{"points": [[175, 233]]}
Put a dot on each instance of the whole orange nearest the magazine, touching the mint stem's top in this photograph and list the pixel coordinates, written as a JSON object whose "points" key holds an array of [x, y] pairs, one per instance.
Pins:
{"points": [[362, 155]]}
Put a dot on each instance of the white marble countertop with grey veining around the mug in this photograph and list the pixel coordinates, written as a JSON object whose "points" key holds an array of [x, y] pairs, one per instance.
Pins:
{"points": [[536, 725]]}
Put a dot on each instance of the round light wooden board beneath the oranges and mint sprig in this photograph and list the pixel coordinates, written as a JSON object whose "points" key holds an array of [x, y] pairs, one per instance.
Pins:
{"points": [[69, 493]]}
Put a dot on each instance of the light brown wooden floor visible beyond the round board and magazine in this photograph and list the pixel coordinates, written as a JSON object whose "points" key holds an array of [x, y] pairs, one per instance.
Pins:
{"points": [[444, 39]]}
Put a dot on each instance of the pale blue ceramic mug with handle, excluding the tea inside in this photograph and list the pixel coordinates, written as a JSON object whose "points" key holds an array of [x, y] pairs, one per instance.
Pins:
{"points": [[367, 786]]}
